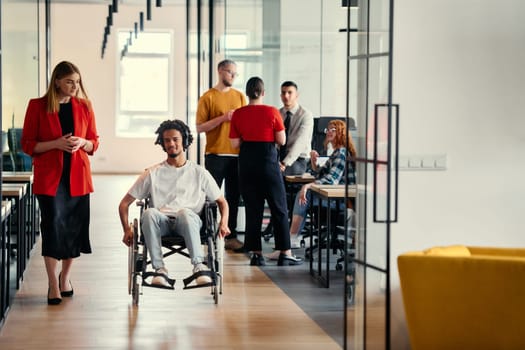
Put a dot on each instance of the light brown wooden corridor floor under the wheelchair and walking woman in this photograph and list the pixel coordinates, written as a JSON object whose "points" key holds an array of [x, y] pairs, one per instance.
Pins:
{"points": [[253, 312]]}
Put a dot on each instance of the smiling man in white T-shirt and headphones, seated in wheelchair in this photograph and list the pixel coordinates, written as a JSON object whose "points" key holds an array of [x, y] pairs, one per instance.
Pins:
{"points": [[177, 189]]}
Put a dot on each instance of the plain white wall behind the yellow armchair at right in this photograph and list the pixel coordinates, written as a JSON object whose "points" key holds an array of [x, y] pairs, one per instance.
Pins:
{"points": [[459, 78]]}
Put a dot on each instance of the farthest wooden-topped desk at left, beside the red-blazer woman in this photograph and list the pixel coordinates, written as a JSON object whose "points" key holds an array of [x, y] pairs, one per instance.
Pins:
{"points": [[32, 210]]}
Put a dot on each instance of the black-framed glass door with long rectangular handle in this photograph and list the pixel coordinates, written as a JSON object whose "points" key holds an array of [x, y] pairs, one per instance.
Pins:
{"points": [[369, 52]]}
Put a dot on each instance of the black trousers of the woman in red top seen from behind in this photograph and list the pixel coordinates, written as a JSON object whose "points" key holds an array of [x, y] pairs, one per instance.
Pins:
{"points": [[261, 180]]}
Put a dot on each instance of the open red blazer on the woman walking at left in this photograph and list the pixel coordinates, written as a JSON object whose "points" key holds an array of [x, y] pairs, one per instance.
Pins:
{"points": [[40, 126]]}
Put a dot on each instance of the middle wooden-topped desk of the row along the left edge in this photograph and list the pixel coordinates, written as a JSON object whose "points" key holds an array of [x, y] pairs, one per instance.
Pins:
{"points": [[18, 193]]}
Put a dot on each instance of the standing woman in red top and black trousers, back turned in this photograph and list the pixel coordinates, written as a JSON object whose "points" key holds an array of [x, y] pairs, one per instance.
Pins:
{"points": [[256, 128]]}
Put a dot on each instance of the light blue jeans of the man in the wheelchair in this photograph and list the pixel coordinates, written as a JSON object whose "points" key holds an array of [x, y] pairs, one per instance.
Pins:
{"points": [[185, 223]]}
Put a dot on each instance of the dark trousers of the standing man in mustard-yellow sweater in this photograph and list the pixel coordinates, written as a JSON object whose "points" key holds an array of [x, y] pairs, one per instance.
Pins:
{"points": [[226, 168]]}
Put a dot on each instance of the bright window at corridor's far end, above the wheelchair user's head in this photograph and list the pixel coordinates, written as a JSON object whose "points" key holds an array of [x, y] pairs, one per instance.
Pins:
{"points": [[145, 86]]}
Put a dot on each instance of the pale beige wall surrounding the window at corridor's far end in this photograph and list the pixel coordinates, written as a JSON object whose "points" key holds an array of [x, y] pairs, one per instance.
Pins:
{"points": [[77, 33]]}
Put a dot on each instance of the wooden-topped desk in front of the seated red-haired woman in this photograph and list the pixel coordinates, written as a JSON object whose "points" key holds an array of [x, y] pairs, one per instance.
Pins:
{"points": [[328, 194]]}
